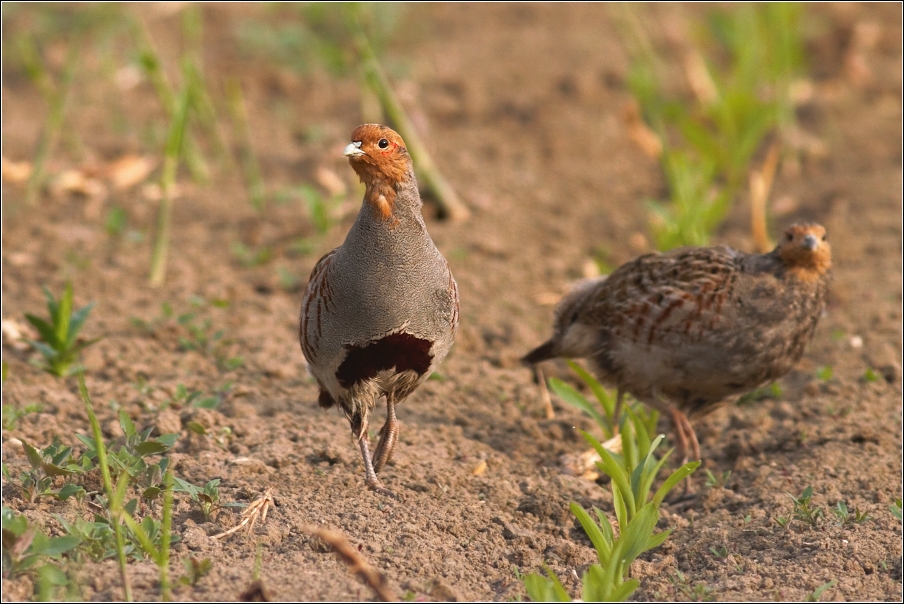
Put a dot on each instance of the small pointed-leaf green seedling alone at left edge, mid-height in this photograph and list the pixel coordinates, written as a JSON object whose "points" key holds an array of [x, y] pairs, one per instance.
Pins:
{"points": [[59, 346]]}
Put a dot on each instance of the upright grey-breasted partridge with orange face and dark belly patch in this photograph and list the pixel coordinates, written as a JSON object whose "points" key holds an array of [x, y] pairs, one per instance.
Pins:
{"points": [[381, 310]]}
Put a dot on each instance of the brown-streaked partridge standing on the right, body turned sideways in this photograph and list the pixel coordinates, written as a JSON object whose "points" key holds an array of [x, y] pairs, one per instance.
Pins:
{"points": [[683, 330]]}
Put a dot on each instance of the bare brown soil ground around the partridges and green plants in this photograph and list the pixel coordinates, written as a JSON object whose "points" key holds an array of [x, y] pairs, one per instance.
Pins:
{"points": [[523, 108]]}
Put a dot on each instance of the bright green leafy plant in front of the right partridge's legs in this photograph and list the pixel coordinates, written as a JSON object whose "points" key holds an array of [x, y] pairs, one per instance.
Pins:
{"points": [[637, 511]]}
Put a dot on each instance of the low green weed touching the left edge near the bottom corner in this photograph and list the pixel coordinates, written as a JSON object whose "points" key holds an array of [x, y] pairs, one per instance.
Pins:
{"points": [[25, 546]]}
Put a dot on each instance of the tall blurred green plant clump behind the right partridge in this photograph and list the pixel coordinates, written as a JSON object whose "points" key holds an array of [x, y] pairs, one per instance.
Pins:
{"points": [[708, 144]]}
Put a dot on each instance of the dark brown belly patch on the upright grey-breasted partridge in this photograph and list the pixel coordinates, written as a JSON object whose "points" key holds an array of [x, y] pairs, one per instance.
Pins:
{"points": [[401, 351]]}
